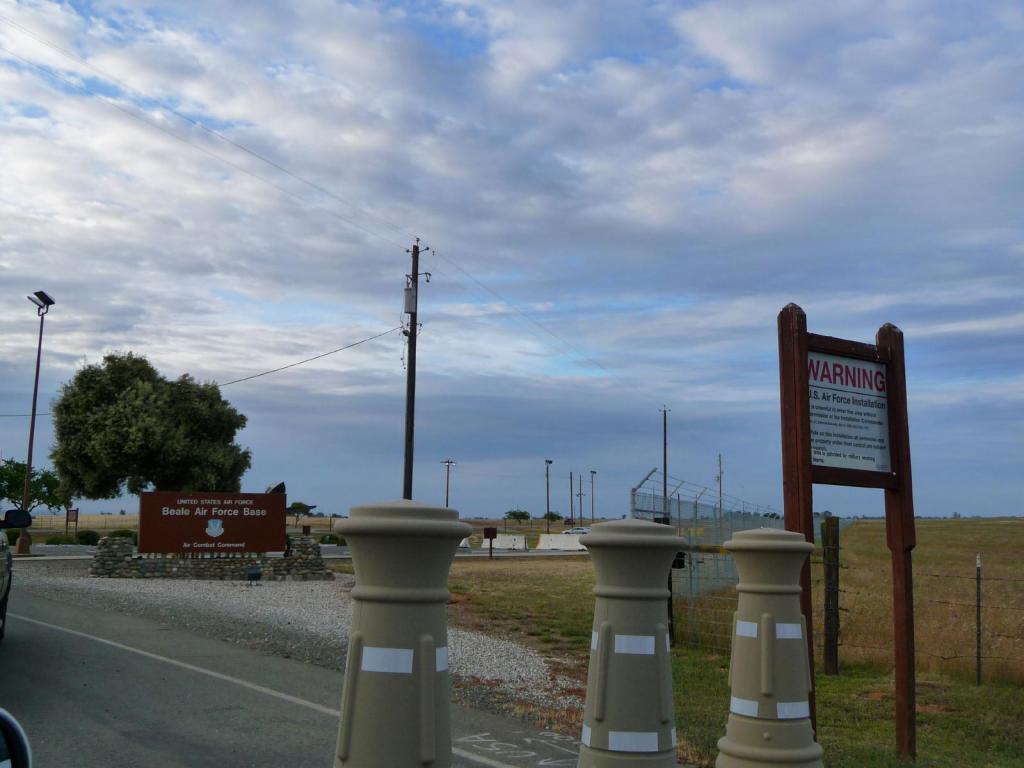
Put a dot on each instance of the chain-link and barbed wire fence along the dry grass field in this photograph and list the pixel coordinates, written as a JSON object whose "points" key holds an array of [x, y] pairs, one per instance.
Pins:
{"points": [[967, 624]]}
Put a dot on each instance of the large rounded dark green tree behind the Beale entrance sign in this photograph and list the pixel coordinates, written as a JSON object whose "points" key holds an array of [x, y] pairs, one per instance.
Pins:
{"points": [[120, 425]]}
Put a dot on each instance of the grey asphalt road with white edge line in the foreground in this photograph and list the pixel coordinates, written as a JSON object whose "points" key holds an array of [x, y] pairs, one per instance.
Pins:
{"points": [[98, 690]]}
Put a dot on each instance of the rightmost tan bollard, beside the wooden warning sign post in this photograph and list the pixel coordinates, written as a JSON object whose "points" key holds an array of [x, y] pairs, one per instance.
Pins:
{"points": [[770, 716]]}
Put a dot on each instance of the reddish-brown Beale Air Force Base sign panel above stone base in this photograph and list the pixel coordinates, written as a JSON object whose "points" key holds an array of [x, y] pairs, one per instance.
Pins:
{"points": [[204, 523]]}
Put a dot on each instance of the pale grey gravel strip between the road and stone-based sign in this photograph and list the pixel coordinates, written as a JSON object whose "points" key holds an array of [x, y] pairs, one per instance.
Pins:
{"points": [[307, 621]]}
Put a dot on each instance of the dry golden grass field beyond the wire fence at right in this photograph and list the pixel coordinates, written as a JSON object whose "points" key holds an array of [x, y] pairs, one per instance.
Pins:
{"points": [[945, 596]]}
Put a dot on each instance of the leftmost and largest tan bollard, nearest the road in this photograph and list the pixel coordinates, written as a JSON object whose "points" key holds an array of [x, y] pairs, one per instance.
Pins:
{"points": [[395, 704]]}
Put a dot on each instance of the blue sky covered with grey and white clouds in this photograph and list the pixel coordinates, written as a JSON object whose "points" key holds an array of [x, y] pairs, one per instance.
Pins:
{"points": [[620, 197]]}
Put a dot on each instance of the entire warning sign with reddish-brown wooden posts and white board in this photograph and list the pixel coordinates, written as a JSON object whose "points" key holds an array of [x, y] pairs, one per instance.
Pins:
{"points": [[845, 423]]}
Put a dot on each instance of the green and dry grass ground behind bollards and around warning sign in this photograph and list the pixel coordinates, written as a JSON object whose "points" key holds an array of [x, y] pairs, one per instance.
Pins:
{"points": [[548, 604]]}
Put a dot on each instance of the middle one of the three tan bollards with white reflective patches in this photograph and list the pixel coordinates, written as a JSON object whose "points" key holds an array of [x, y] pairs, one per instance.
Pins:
{"points": [[629, 717]]}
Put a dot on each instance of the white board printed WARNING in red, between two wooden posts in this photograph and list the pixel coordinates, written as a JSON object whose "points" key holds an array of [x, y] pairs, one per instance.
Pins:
{"points": [[849, 413]]}
